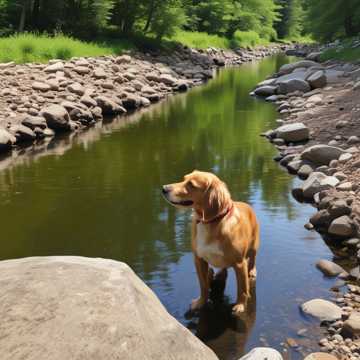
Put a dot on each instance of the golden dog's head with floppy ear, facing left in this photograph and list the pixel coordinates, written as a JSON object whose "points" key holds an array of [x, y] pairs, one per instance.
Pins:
{"points": [[203, 191]]}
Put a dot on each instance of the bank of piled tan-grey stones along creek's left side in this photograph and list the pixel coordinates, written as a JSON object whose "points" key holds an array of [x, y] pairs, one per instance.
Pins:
{"points": [[40, 101]]}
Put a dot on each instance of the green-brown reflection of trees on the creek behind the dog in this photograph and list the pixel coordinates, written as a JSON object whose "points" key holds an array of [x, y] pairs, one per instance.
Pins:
{"points": [[106, 201]]}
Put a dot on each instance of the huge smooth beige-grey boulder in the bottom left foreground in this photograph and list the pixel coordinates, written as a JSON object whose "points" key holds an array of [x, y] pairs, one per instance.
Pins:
{"points": [[79, 308]]}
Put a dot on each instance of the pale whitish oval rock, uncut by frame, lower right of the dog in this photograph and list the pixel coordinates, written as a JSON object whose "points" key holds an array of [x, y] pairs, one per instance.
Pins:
{"points": [[323, 310]]}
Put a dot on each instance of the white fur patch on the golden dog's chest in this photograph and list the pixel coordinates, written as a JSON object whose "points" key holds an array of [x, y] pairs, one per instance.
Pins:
{"points": [[211, 252]]}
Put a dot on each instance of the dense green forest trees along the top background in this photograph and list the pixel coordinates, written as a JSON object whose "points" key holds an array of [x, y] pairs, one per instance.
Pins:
{"points": [[266, 20]]}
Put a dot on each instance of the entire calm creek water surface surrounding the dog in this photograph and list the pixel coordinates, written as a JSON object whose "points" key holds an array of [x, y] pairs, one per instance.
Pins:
{"points": [[98, 194]]}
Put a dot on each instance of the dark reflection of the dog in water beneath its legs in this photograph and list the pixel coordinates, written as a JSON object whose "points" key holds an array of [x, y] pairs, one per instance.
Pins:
{"points": [[212, 322]]}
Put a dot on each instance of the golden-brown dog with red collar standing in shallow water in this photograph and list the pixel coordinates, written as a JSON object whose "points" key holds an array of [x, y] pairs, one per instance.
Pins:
{"points": [[224, 233]]}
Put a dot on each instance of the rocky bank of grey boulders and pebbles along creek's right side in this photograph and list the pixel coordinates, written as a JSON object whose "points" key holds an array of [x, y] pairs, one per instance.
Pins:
{"points": [[318, 139]]}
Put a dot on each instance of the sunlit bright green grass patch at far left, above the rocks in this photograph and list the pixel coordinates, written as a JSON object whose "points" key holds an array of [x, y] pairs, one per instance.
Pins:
{"points": [[28, 47]]}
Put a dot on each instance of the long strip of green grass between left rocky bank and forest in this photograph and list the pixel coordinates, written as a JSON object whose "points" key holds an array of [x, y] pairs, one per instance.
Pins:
{"points": [[41, 48]]}
